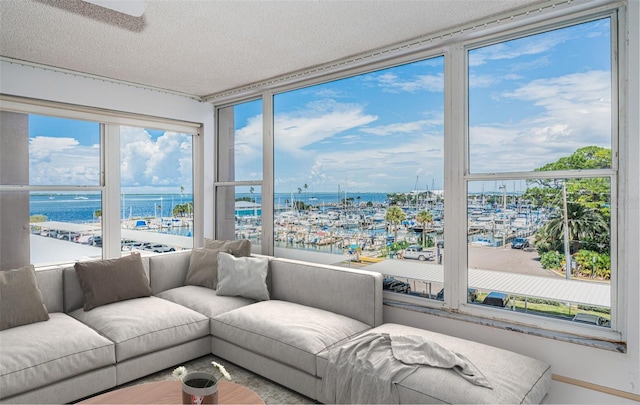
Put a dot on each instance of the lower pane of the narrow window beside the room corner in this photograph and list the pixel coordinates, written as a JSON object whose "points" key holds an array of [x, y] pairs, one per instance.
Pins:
{"points": [[243, 219]]}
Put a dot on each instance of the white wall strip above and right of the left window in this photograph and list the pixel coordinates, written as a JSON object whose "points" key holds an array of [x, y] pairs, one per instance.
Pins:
{"points": [[32, 82]]}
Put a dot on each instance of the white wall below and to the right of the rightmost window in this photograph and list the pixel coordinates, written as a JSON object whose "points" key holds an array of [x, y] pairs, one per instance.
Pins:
{"points": [[619, 371]]}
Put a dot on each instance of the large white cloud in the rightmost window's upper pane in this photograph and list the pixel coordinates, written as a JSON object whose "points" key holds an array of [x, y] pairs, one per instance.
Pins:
{"points": [[576, 113]]}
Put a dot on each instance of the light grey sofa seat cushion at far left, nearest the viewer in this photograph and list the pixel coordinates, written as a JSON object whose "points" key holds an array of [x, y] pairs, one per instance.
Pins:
{"points": [[43, 353]]}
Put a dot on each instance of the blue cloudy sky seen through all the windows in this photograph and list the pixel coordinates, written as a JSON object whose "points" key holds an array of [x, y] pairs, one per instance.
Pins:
{"points": [[531, 101]]}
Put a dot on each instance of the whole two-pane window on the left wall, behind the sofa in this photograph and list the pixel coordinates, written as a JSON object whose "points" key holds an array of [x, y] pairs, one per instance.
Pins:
{"points": [[75, 184]]}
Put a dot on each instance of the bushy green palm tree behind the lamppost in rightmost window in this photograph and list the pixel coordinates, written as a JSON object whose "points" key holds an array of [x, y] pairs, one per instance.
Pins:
{"points": [[583, 222]]}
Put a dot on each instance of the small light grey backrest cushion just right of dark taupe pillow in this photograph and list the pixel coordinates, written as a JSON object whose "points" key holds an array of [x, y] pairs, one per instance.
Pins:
{"points": [[168, 270]]}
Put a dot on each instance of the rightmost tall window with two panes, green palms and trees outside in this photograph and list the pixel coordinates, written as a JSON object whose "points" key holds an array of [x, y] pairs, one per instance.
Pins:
{"points": [[540, 109]]}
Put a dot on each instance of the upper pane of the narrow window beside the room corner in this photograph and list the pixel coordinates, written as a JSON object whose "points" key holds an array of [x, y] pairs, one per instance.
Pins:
{"points": [[240, 142]]}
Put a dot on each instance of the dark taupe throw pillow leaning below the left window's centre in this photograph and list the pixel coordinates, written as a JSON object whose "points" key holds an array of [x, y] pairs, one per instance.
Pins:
{"points": [[112, 280]]}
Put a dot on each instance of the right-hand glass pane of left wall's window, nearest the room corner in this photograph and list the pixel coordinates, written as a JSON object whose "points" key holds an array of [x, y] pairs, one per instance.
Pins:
{"points": [[156, 202]]}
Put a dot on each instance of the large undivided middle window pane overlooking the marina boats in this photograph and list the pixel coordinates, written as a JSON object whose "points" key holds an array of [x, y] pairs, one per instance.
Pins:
{"points": [[359, 173]]}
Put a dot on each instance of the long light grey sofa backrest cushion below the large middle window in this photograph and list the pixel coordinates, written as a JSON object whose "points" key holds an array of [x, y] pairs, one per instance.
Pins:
{"points": [[353, 293]]}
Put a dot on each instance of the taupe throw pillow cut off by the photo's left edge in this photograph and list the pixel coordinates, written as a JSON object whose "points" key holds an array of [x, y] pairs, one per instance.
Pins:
{"points": [[20, 298]]}
